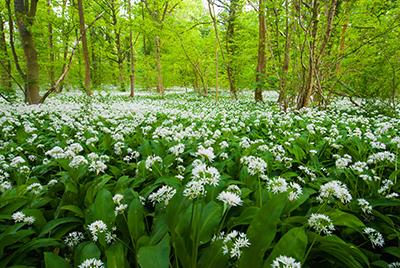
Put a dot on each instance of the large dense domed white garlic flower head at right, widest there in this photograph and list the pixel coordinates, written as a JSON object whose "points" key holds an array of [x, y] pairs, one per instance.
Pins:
{"points": [[334, 189]]}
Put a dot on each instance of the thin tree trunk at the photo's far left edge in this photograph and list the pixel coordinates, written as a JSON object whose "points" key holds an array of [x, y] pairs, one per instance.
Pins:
{"points": [[5, 64]]}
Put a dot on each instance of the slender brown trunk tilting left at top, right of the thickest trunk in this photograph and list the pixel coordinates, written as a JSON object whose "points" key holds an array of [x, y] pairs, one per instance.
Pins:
{"points": [[85, 50]]}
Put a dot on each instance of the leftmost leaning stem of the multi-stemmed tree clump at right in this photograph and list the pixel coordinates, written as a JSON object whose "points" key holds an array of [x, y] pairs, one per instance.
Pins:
{"points": [[305, 95]]}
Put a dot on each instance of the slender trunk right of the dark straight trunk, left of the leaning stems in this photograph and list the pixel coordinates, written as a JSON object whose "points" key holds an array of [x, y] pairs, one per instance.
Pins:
{"points": [[285, 67]]}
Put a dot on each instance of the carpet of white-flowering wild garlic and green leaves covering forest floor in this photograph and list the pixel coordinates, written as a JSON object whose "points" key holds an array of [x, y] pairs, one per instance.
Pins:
{"points": [[185, 181]]}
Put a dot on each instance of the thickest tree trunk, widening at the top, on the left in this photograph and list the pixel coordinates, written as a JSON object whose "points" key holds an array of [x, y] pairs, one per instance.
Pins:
{"points": [[25, 17]]}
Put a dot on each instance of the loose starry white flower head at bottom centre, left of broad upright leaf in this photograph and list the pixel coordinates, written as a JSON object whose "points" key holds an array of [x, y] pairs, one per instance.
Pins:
{"points": [[233, 243]]}
